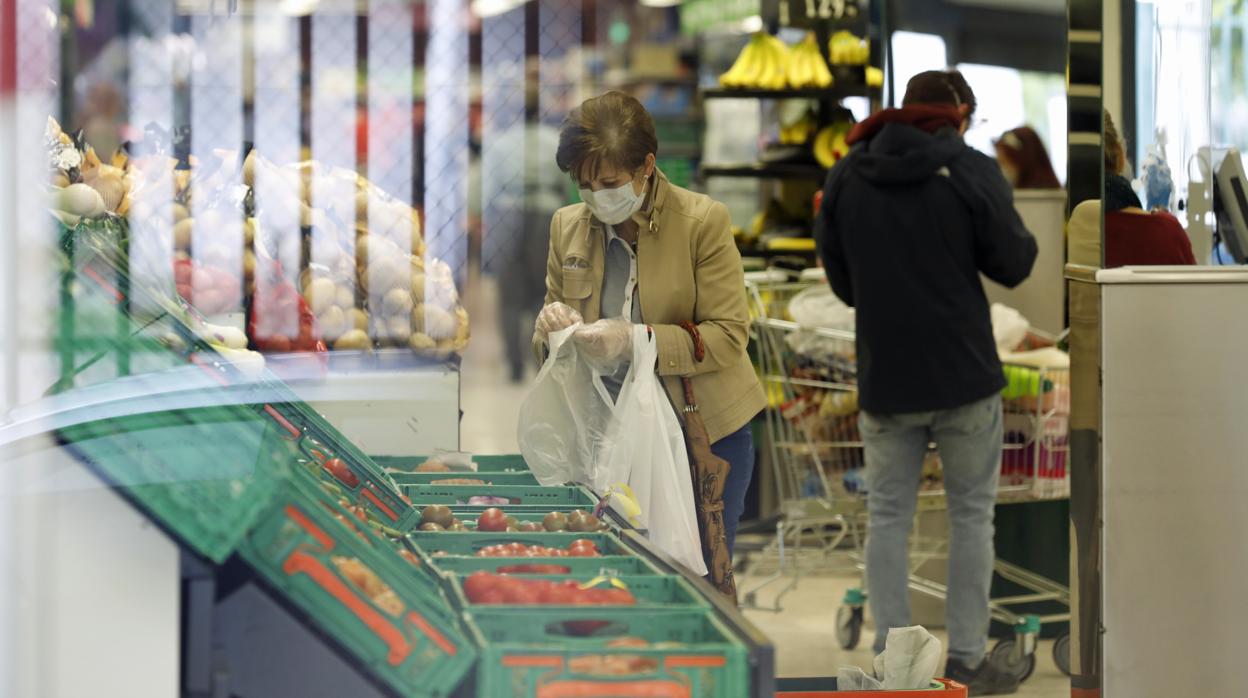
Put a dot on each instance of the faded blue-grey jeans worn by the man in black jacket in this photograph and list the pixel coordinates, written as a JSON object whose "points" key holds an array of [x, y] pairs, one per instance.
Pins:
{"points": [[969, 440]]}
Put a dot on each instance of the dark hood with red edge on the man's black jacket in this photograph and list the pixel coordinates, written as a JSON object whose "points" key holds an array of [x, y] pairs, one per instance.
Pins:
{"points": [[907, 145]]}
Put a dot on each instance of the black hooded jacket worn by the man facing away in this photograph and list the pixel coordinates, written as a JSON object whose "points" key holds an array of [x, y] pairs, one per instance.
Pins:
{"points": [[909, 220]]}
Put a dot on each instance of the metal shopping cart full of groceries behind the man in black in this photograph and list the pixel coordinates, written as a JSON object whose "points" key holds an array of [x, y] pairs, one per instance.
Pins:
{"points": [[816, 451]]}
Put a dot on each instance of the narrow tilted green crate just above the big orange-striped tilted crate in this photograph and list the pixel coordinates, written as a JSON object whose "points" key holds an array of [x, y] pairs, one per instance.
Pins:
{"points": [[318, 444]]}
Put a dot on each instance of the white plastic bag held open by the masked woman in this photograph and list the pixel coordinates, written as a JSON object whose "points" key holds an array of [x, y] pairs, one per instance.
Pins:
{"points": [[572, 431]]}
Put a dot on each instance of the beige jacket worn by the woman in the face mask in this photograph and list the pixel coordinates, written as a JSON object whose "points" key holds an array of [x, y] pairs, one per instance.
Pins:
{"points": [[688, 269]]}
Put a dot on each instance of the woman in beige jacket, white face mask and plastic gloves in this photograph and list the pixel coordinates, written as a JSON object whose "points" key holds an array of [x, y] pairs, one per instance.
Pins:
{"points": [[642, 250]]}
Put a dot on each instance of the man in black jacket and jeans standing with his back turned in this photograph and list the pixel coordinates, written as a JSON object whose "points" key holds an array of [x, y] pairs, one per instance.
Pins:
{"points": [[909, 220]]}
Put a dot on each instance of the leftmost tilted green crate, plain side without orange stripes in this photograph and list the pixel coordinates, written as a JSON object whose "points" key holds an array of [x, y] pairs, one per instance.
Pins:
{"points": [[207, 475]]}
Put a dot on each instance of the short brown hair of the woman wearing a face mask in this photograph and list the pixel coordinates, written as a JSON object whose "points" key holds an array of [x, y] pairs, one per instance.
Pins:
{"points": [[612, 128]]}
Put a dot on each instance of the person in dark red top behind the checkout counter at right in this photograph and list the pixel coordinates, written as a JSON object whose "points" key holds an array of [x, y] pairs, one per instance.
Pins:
{"points": [[1133, 237]]}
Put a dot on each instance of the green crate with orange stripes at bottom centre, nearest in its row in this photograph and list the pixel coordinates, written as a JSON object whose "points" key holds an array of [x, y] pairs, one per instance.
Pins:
{"points": [[527, 652]]}
